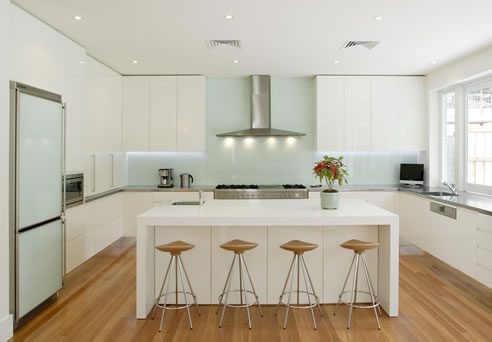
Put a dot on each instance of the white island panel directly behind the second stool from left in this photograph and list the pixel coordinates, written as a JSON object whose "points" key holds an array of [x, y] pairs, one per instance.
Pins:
{"points": [[255, 260]]}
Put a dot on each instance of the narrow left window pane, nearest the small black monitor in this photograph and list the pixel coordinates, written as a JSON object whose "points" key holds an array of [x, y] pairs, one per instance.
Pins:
{"points": [[448, 137]]}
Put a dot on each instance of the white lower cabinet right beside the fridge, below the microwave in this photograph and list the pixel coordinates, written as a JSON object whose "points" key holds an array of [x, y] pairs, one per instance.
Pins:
{"points": [[92, 227]]}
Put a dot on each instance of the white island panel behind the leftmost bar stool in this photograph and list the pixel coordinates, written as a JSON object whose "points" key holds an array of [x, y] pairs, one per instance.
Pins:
{"points": [[196, 262]]}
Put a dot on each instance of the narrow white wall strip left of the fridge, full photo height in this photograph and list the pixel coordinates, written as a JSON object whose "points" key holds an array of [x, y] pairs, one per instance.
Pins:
{"points": [[5, 318]]}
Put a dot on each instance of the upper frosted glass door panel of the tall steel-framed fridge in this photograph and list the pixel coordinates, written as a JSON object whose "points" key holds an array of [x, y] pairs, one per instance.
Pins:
{"points": [[39, 134]]}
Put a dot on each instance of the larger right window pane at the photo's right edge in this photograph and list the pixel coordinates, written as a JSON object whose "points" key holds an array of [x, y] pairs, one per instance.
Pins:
{"points": [[479, 138]]}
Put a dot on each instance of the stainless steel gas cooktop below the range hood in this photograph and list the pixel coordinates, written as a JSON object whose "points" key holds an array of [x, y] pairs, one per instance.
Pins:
{"points": [[254, 191]]}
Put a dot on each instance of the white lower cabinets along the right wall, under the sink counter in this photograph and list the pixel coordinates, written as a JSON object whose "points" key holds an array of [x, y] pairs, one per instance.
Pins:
{"points": [[465, 243]]}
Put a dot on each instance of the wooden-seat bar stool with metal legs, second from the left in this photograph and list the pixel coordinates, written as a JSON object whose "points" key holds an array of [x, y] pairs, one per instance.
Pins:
{"points": [[238, 247]]}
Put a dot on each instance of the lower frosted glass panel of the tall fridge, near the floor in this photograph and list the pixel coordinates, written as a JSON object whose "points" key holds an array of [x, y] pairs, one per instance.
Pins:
{"points": [[40, 265]]}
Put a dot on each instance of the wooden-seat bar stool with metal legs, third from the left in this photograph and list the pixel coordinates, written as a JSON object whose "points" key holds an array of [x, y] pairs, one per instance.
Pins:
{"points": [[299, 247]]}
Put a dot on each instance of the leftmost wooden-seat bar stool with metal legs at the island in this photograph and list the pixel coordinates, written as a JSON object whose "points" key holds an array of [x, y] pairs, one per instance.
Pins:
{"points": [[175, 248]]}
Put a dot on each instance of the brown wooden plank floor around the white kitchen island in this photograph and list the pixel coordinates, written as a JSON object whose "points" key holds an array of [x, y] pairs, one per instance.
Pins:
{"points": [[437, 303]]}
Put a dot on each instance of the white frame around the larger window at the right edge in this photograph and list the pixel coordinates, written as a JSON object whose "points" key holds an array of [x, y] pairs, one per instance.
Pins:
{"points": [[471, 187]]}
